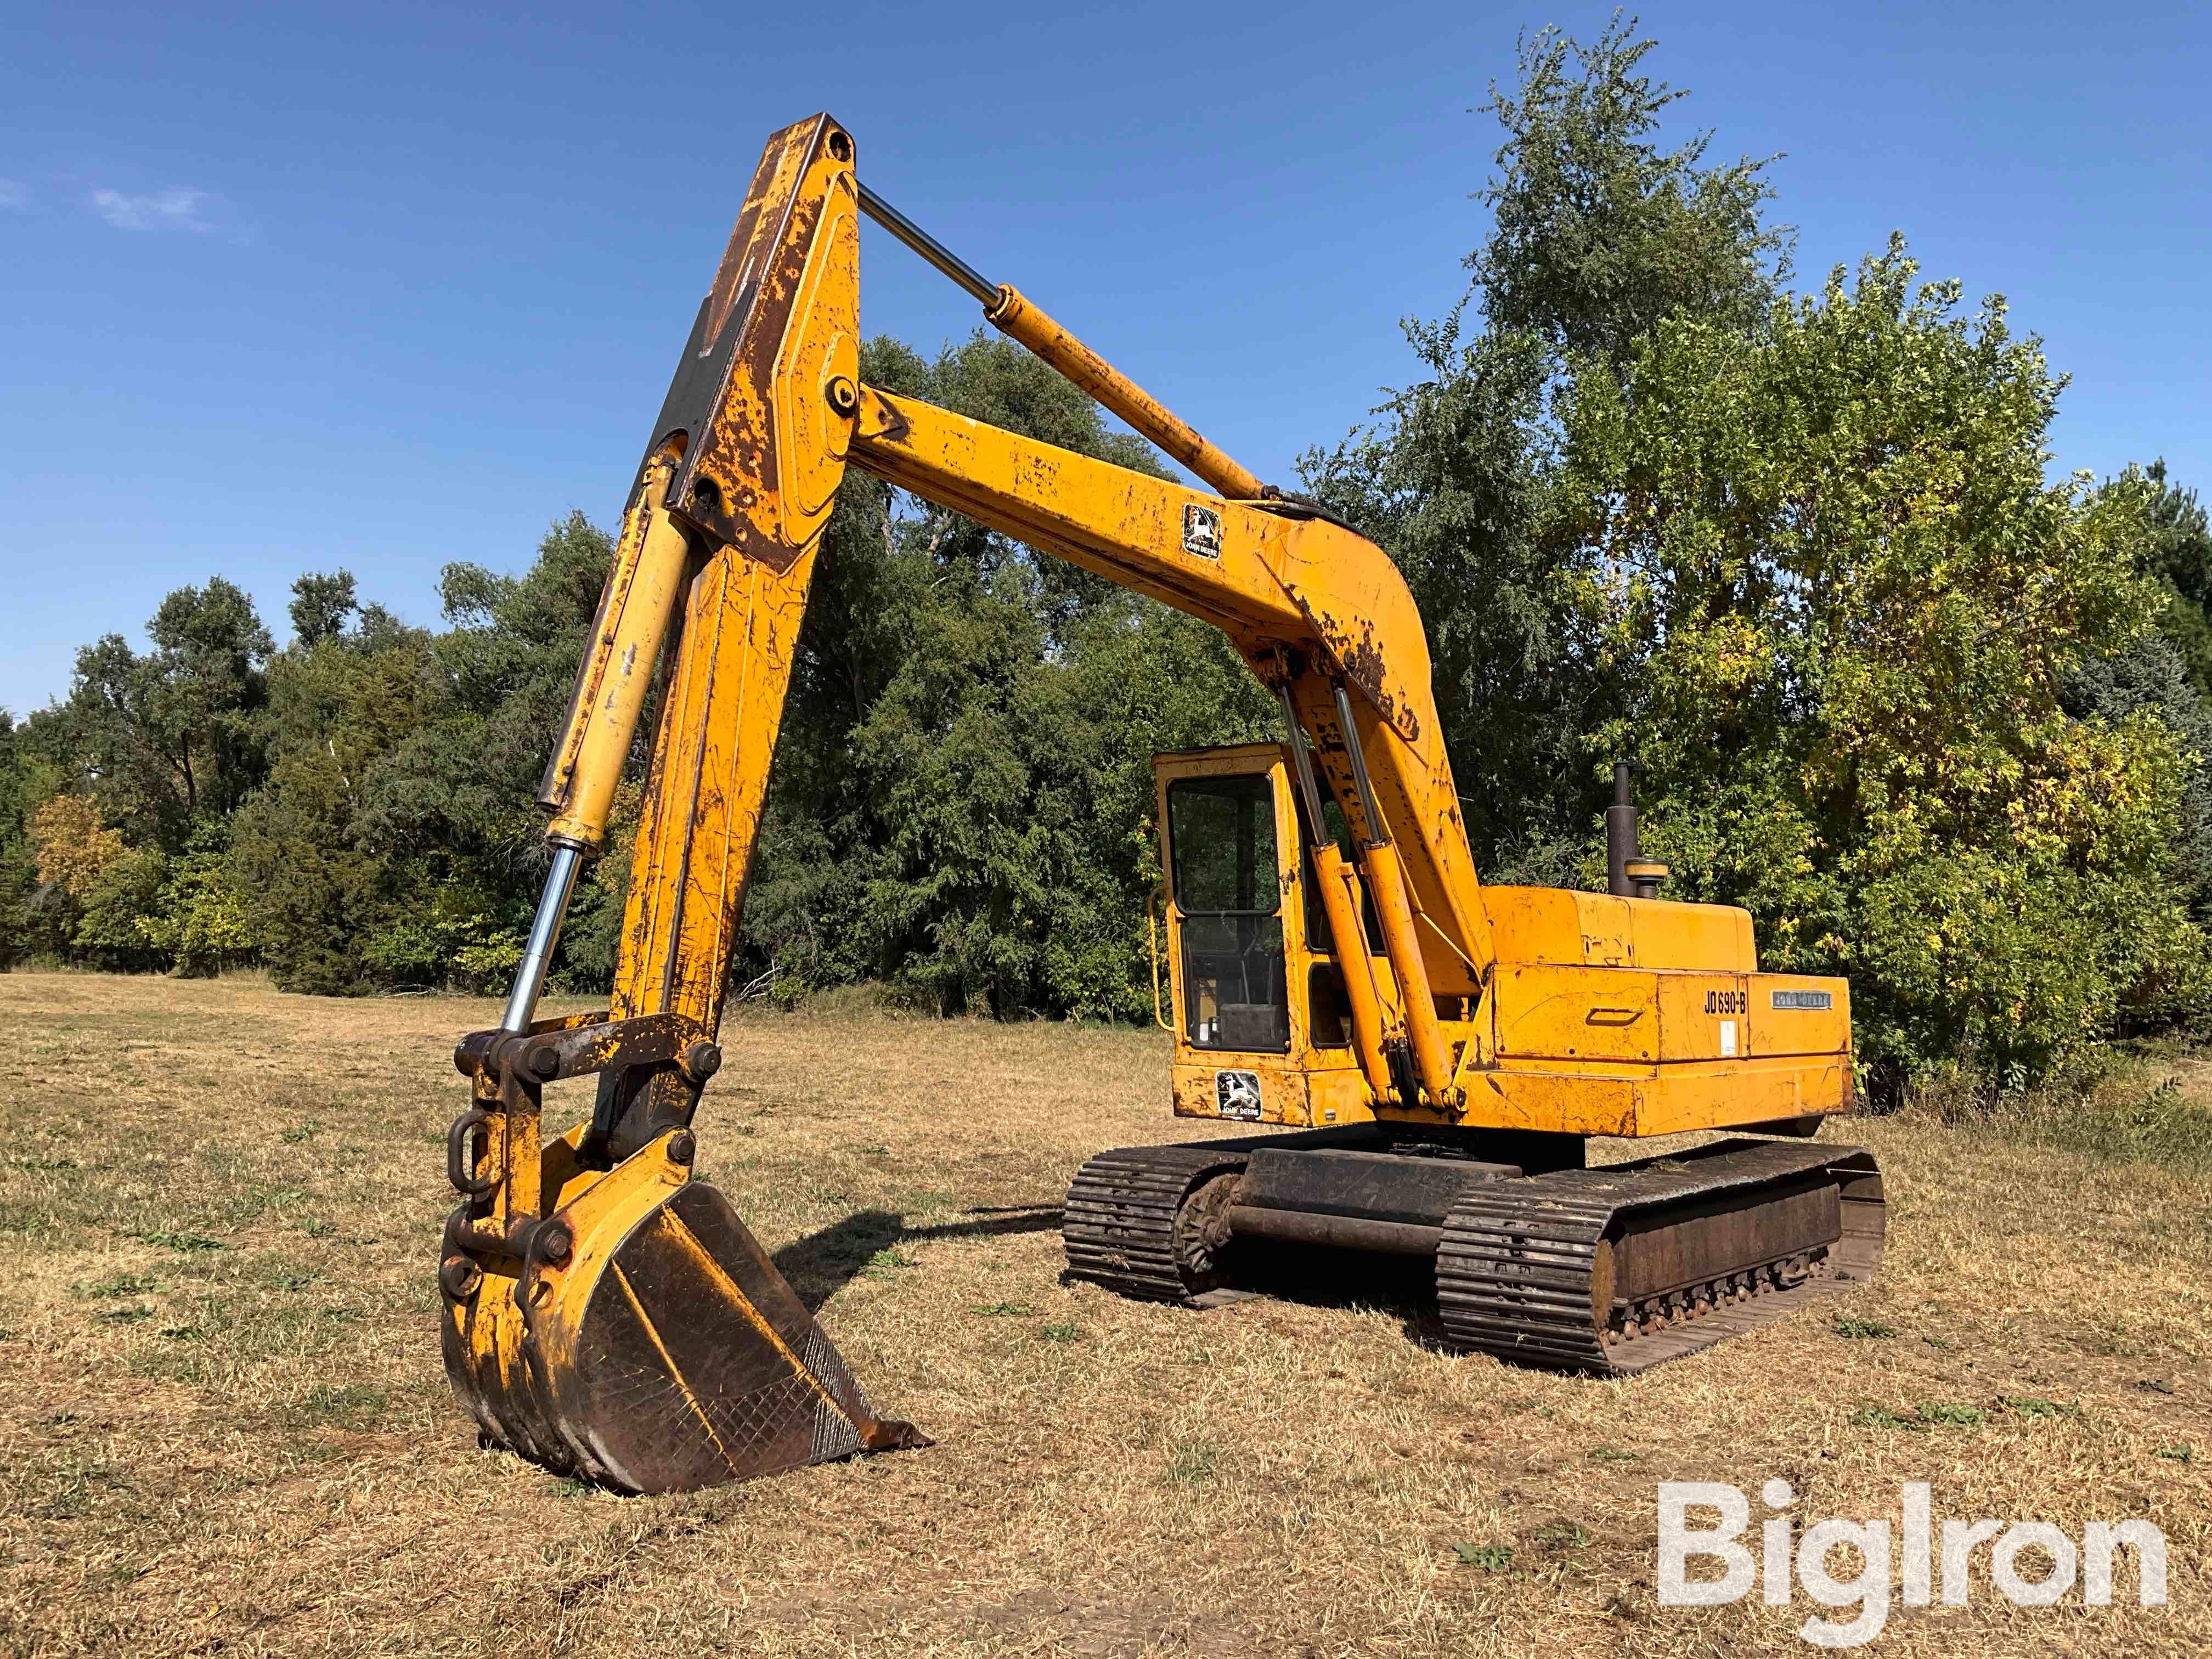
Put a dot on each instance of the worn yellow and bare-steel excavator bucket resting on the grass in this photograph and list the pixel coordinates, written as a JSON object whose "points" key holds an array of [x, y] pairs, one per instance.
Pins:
{"points": [[649, 1344]]}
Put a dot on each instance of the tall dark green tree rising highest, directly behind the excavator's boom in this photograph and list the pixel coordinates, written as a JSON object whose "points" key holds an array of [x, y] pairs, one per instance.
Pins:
{"points": [[1598, 233]]}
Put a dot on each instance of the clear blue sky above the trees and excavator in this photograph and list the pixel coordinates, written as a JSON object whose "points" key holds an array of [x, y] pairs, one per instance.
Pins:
{"points": [[390, 286]]}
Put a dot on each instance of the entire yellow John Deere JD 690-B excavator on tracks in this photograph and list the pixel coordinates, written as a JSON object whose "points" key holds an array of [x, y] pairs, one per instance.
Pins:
{"points": [[1430, 1056]]}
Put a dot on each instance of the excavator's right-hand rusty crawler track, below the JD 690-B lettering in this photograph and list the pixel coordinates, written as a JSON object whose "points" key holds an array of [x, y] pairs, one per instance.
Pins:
{"points": [[1525, 1271]]}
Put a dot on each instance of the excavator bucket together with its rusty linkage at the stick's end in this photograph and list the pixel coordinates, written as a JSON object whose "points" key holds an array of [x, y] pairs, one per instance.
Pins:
{"points": [[620, 1322]]}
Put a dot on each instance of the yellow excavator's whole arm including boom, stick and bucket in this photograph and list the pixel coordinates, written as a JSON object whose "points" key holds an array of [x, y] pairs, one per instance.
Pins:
{"points": [[589, 1271]]}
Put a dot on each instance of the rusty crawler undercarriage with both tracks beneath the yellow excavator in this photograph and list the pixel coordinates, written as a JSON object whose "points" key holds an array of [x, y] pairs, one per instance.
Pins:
{"points": [[1605, 1271]]}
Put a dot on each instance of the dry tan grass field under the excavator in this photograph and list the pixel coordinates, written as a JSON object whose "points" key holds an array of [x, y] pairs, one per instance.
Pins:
{"points": [[225, 1426]]}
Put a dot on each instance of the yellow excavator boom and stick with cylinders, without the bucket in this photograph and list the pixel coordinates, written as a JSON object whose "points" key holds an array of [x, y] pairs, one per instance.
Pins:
{"points": [[718, 554]]}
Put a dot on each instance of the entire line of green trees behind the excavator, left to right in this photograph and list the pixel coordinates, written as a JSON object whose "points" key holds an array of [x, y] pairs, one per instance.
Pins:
{"points": [[1934, 716]]}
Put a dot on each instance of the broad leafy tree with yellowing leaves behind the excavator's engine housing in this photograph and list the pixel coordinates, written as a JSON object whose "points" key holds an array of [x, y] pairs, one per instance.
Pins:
{"points": [[1844, 607]]}
